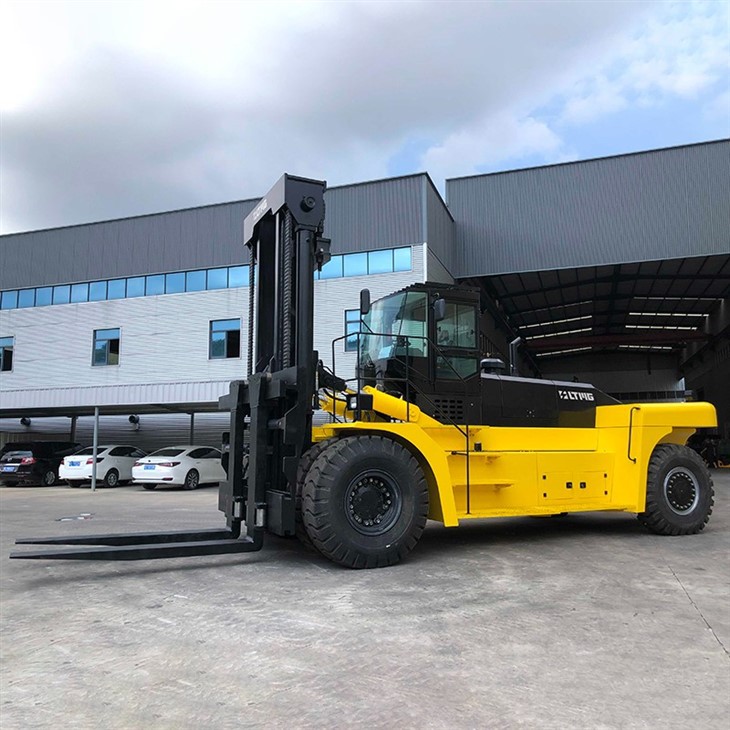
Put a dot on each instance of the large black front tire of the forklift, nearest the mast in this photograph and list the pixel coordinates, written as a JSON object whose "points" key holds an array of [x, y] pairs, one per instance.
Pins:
{"points": [[365, 502]]}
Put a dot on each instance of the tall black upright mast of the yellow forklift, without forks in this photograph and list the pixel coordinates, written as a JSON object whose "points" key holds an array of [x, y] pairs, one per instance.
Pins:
{"points": [[274, 405]]}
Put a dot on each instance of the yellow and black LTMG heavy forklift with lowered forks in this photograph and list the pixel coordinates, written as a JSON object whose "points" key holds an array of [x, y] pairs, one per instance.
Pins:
{"points": [[428, 428]]}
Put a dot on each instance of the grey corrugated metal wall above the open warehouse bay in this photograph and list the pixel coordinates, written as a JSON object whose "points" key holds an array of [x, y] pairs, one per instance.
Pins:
{"points": [[654, 205]]}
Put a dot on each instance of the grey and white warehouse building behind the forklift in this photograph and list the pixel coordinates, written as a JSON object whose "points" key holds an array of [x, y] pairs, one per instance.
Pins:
{"points": [[615, 271]]}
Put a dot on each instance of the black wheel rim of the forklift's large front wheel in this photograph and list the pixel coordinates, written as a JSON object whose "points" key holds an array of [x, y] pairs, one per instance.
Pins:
{"points": [[373, 502]]}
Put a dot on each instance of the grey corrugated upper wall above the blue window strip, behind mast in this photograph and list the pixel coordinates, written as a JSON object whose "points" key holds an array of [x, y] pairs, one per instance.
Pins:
{"points": [[380, 214]]}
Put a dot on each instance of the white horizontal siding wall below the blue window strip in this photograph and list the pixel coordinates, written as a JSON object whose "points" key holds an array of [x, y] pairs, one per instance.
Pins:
{"points": [[164, 339]]}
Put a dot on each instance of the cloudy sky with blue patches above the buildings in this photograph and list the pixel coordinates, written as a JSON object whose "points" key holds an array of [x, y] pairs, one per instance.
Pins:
{"points": [[114, 109]]}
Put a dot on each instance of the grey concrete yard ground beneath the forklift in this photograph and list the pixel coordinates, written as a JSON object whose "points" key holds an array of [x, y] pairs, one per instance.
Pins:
{"points": [[581, 622]]}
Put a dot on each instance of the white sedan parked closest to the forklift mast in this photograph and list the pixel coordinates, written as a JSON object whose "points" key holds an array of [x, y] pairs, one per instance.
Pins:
{"points": [[185, 465]]}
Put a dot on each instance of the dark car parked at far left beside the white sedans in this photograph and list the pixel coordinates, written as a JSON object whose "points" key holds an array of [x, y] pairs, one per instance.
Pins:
{"points": [[33, 462]]}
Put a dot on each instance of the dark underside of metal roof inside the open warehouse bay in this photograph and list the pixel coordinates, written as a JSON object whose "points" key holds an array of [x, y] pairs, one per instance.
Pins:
{"points": [[649, 306]]}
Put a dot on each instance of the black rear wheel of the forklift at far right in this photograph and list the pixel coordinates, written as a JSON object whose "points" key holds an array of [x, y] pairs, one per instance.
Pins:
{"points": [[679, 492]]}
